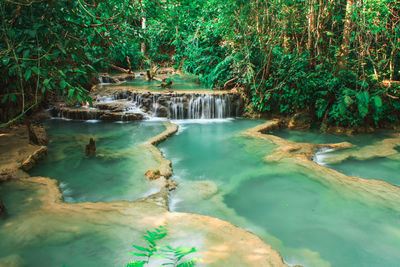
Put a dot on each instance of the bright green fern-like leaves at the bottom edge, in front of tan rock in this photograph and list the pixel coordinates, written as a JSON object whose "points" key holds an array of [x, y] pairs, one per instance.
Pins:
{"points": [[175, 256]]}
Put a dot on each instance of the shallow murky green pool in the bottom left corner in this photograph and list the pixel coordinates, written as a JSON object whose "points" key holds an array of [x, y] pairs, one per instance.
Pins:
{"points": [[47, 239]]}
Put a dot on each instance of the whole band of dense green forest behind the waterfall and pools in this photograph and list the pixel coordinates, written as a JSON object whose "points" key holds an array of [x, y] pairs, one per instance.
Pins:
{"points": [[337, 60]]}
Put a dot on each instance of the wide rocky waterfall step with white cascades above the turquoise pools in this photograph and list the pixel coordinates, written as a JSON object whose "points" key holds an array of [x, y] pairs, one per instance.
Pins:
{"points": [[136, 105]]}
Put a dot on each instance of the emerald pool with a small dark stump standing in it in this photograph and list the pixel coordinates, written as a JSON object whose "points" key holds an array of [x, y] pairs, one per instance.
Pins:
{"points": [[115, 173]]}
